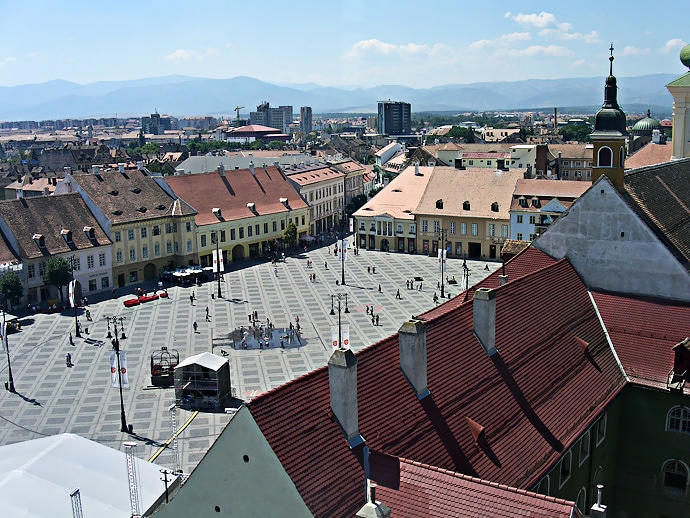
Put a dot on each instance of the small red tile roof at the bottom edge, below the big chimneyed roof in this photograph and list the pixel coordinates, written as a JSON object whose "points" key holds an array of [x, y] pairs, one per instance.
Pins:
{"points": [[433, 492]]}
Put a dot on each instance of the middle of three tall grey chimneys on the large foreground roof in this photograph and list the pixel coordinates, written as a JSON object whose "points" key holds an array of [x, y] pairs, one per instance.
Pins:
{"points": [[412, 345]]}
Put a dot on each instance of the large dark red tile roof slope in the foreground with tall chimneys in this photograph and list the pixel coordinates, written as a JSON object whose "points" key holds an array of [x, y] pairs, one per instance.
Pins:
{"points": [[522, 396]]}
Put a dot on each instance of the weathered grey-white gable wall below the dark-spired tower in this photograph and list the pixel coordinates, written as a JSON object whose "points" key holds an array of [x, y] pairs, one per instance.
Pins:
{"points": [[612, 249]]}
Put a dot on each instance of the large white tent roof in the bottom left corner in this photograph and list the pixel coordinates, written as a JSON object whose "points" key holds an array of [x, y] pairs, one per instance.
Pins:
{"points": [[37, 477]]}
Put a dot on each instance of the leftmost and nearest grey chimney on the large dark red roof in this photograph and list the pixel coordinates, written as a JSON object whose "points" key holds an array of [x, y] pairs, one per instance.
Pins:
{"points": [[342, 381]]}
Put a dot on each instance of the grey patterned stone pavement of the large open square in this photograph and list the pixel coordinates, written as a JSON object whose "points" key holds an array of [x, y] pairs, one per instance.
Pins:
{"points": [[52, 398]]}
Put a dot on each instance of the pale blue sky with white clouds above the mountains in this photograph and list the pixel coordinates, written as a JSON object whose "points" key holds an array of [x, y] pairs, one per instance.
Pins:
{"points": [[338, 43]]}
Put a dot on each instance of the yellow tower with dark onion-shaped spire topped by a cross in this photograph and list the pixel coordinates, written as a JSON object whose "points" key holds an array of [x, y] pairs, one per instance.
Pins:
{"points": [[609, 135]]}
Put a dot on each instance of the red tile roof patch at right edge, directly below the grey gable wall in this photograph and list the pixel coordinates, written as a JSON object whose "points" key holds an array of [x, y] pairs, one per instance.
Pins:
{"points": [[643, 332]]}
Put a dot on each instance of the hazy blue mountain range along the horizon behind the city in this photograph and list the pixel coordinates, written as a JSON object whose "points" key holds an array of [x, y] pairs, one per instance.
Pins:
{"points": [[181, 95]]}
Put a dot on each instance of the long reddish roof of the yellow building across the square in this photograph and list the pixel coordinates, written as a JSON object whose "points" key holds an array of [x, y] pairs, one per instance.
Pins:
{"points": [[232, 192]]}
